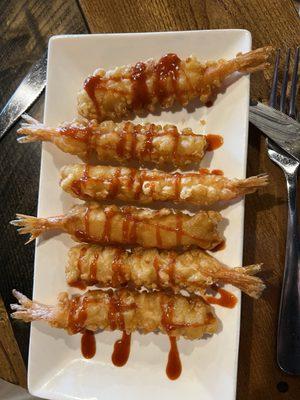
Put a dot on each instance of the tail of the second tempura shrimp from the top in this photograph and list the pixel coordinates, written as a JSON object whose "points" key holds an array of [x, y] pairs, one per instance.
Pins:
{"points": [[33, 131]]}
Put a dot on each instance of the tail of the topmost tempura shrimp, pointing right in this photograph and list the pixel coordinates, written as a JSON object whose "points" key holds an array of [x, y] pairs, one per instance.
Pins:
{"points": [[254, 60]]}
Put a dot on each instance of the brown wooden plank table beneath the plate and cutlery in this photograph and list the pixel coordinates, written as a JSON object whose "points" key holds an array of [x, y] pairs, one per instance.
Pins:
{"points": [[24, 30]]}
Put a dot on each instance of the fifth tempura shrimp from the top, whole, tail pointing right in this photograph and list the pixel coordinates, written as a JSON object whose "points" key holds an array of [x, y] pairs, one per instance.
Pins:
{"points": [[192, 270]]}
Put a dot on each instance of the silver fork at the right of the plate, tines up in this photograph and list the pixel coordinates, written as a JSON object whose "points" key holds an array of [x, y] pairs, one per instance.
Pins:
{"points": [[288, 335]]}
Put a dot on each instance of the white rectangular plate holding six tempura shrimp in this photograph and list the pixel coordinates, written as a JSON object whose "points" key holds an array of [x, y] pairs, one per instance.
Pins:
{"points": [[56, 368]]}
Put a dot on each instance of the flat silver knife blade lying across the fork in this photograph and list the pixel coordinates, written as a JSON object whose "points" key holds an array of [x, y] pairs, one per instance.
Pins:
{"points": [[282, 129]]}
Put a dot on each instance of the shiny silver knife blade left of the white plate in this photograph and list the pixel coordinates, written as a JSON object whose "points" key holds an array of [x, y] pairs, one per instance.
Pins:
{"points": [[27, 92]]}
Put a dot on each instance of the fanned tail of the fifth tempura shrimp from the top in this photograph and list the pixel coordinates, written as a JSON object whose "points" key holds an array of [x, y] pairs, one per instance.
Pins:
{"points": [[242, 277]]}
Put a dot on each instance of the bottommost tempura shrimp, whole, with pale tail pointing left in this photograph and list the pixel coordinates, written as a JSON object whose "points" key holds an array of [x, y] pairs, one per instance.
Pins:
{"points": [[123, 310]]}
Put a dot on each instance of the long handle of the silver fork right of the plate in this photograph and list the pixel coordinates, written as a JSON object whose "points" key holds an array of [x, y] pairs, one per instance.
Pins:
{"points": [[288, 336]]}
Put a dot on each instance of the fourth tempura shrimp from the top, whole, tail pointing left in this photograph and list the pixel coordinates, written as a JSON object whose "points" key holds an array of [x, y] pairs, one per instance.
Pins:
{"points": [[163, 229]]}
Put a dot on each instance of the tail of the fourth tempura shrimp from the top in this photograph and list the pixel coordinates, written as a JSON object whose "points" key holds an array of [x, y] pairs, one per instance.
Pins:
{"points": [[35, 226]]}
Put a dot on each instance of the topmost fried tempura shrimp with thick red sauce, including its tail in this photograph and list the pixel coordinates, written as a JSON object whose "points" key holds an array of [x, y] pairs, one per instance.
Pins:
{"points": [[111, 95]]}
